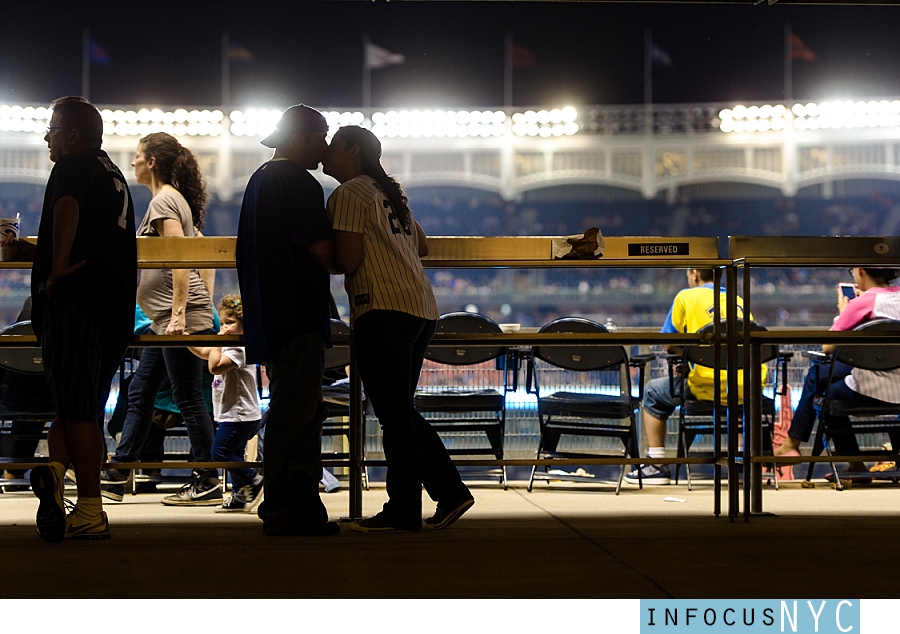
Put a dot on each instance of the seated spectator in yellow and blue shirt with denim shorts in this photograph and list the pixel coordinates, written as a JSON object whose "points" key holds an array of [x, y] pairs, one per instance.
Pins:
{"points": [[691, 309]]}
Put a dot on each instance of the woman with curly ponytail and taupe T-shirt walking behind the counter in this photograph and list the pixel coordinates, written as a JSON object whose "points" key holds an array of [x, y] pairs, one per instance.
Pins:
{"points": [[178, 302]]}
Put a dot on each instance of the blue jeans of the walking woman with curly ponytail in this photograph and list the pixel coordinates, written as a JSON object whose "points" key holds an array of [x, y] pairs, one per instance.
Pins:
{"points": [[184, 370]]}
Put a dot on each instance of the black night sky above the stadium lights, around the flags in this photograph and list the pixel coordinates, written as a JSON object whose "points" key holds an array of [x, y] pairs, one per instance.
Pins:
{"points": [[168, 53]]}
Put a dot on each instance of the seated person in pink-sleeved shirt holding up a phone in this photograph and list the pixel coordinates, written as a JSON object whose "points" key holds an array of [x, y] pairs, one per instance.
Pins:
{"points": [[873, 297]]}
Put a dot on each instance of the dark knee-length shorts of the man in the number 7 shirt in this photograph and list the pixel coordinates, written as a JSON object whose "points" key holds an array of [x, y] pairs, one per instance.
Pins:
{"points": [[81, 356]]}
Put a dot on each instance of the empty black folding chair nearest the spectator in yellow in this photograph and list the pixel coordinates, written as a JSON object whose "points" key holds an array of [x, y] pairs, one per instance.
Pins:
{"points": [[584, 391]]}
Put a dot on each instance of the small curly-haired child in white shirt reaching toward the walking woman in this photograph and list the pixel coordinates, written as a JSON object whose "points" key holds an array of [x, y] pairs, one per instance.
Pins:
{"points": [[235, 407]]}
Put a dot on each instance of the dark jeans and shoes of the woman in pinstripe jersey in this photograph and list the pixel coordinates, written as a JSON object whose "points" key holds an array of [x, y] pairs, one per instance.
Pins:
{"points": [[390, 348]]}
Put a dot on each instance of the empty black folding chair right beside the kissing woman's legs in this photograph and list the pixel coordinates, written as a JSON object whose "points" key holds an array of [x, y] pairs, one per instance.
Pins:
{"points": [[459, 402]]}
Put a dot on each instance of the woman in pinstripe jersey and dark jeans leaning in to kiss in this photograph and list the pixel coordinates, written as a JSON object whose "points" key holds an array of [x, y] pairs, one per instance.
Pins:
{"points": [[378, 246]]}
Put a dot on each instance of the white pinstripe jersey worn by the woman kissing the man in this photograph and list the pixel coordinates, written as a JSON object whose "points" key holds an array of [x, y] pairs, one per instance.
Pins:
{"points": [[390, 276]]}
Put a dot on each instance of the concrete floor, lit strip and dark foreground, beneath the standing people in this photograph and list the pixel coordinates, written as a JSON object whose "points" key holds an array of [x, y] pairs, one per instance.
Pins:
{"points": [[559, 541]]}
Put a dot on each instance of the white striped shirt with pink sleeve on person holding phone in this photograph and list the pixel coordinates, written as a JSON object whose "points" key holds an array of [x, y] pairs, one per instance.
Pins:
{"points": [[875, 303]]}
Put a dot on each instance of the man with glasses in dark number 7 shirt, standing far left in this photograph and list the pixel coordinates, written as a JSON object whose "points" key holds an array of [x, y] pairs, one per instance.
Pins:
{"points": [[83, 283]]}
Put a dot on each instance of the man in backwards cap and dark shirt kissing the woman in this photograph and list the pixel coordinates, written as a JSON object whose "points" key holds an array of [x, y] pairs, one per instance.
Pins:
{"points": [[284, 253]]}
